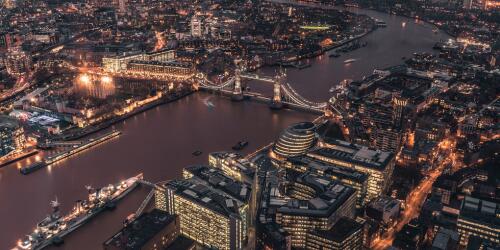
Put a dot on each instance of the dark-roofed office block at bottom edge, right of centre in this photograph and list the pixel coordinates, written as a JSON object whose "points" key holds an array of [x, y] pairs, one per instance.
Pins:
{"points": [[345, 234]]}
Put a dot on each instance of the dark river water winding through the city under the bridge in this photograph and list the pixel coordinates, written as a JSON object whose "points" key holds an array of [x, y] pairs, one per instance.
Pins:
{"points": [[160, 142]]}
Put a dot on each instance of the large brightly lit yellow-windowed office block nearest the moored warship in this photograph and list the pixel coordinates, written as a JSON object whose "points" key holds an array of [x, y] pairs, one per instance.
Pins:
{"points": [[212, 208]]}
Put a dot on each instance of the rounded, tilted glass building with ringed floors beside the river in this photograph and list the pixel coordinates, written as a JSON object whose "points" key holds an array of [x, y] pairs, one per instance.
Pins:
{"points": [[295, 140]]}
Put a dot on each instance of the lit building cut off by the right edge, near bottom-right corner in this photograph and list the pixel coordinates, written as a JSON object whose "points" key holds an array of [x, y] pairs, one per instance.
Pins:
{"points": [[479, 218]]}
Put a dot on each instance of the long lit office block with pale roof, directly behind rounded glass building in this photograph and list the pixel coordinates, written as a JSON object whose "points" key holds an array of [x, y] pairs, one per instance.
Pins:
{"points": [[378, 165]]}
